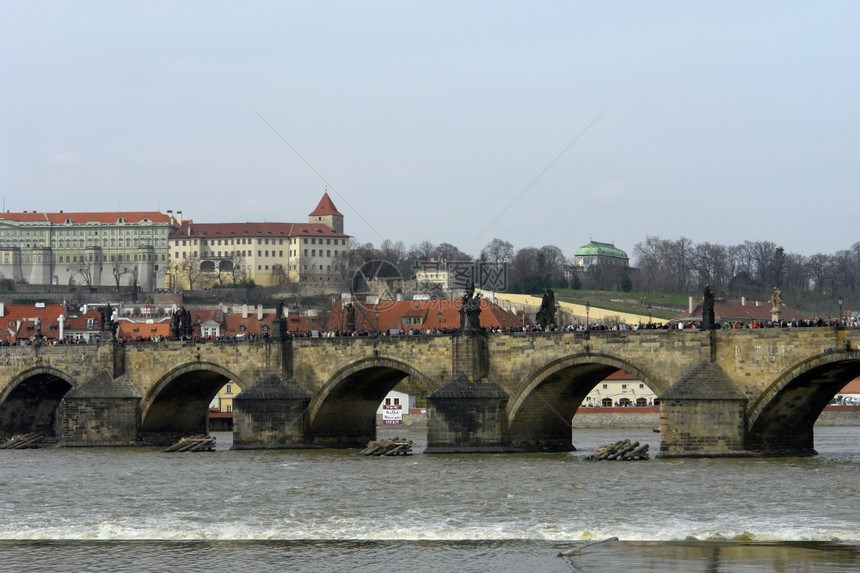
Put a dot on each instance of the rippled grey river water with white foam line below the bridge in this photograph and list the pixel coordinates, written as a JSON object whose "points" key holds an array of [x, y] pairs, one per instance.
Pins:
{"points": [[138, 509]]}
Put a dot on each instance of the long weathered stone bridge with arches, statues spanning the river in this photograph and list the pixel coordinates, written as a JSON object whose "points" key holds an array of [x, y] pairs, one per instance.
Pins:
{"points": [[722, 392]]}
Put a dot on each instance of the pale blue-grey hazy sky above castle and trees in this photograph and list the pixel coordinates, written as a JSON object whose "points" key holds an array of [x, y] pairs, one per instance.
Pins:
{"points": [[539, 123]]}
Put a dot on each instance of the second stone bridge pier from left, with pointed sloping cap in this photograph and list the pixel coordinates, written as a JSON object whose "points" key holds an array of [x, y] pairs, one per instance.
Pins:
{"points": [[272, 414]]}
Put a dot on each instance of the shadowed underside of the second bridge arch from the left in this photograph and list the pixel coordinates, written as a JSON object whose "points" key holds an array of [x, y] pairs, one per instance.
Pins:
{"points": [[178, 404]]}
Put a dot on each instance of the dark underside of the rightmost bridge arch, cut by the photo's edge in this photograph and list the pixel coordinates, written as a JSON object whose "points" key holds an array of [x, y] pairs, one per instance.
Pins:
{"points": [[782, 418]]}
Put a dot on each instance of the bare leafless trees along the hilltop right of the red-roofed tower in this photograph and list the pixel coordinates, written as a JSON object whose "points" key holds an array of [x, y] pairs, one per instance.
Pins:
{"points": [[751, 269]]}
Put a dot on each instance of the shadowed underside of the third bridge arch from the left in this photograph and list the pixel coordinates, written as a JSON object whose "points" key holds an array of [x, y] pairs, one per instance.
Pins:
{"points": [[343, 413]]}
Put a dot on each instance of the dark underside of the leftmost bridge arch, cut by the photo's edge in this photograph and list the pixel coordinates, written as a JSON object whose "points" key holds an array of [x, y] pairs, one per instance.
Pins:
{"points": [[30, 401]]}
